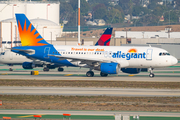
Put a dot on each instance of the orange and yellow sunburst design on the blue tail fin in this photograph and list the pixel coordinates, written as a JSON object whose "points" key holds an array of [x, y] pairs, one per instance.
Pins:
{"points": [[29, 36]]}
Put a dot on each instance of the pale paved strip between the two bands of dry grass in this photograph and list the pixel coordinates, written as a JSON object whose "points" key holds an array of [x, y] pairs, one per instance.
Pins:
{"points": [[90, 91]]}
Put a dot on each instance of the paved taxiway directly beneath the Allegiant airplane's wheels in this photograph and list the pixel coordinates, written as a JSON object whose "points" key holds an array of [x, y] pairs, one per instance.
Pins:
{"points": [[171, 74]]}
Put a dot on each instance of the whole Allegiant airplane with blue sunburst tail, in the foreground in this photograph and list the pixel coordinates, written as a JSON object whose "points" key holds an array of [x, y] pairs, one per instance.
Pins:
{"points": [[106, 59]]}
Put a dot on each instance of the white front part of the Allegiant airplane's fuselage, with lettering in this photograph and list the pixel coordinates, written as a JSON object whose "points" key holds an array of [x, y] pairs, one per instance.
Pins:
{"points": [[126, 56]]}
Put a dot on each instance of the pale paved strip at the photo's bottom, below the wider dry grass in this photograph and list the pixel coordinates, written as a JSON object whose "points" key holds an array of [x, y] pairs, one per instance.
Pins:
{"points": [[104, 113]]}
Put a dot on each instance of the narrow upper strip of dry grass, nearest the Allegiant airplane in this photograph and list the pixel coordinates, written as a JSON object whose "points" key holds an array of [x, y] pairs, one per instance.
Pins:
{"points": [[79, 83]]}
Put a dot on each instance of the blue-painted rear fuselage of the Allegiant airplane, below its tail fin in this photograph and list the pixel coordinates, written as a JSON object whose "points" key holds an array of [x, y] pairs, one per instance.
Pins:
{"points": [[40, 54]]}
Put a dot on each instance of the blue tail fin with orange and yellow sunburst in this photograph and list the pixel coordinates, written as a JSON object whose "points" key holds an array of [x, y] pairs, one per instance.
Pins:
{"points": [[28, 34]]}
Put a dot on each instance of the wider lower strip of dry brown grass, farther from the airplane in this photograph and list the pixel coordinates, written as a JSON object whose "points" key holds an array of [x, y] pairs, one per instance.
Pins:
{"points": [[91, 103]]}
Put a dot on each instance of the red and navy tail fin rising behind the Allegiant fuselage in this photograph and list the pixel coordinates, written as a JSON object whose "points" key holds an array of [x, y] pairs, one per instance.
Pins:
{"points": [[105, 38]]}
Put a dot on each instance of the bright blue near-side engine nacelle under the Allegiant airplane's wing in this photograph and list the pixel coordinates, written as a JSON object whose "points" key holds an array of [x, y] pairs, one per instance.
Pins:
{"points": [[110, 68]]}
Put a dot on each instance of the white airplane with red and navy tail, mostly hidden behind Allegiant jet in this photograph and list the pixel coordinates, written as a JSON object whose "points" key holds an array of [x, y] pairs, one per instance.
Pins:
{"points": [[11, 58]]}
